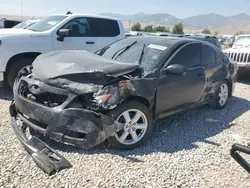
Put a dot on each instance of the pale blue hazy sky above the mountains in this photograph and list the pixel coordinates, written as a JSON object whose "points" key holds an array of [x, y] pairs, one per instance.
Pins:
{"points": [[178, 8]]}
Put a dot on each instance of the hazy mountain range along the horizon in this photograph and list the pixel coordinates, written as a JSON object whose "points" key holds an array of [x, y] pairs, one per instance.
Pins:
{"points": [[206, 21]]}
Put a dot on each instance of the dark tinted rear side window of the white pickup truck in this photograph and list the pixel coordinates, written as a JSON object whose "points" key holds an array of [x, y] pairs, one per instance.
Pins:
{"points": [[104, 27]]}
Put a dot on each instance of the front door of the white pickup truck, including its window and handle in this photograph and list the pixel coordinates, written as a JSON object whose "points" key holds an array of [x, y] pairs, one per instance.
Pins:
{"points": [[81, 36]]}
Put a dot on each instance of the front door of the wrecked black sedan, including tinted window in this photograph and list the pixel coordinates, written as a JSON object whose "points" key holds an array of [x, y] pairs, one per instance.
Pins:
{"points": [[176, 93]]}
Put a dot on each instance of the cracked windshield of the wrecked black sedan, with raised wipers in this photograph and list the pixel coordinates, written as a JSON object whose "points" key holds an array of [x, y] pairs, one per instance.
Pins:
{"points": [[148, 55]]}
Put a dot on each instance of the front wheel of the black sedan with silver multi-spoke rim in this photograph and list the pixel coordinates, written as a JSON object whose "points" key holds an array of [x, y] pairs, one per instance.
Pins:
{"points": [[138, 125]]}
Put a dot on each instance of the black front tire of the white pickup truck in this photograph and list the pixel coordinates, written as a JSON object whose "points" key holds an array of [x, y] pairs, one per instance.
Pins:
{"points": [[14, 69]]}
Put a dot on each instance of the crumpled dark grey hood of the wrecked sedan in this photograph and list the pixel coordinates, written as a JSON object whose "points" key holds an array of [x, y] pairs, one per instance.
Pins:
{"points": [[61, 68]]}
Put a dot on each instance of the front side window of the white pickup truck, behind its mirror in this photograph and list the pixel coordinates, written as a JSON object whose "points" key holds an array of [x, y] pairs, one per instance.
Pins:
{"points": [[78, 27]]}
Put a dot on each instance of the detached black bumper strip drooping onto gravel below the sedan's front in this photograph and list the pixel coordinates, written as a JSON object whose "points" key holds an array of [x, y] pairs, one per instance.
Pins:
{"points": [[45, 157]]}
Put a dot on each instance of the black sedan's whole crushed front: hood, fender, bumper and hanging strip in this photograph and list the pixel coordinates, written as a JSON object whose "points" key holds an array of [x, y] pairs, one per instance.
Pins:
{"points": [[70, 97]]}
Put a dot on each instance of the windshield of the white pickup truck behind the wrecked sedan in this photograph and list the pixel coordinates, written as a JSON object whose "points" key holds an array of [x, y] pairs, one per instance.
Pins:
{"points": [[46, 24]]}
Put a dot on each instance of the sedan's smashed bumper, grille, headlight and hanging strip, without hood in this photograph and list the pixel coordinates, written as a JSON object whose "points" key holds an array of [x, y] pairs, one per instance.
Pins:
{"points": [[80, 119]]}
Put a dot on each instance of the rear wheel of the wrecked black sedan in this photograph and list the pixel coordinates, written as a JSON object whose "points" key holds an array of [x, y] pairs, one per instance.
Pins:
{"points": [[221, 97]]}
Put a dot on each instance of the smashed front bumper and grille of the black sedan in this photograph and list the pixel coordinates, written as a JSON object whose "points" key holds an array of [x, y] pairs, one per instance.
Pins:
{"points": [[60, 115]]}
